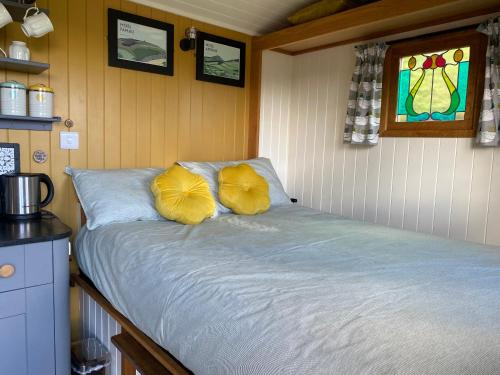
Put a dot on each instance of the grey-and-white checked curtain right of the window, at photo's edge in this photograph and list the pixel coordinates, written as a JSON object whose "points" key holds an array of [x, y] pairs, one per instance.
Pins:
{"points": [[489, 119]]}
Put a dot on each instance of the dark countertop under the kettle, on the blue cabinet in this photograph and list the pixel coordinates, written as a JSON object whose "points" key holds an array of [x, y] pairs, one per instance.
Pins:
{"points": [[20, 232]]}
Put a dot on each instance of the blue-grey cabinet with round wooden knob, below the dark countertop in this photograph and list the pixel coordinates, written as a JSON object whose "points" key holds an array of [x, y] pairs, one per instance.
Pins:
{"points": [[34, 308]]}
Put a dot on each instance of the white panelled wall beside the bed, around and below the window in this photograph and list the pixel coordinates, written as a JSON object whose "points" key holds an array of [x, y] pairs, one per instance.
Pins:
{"points": [[444, 186]]}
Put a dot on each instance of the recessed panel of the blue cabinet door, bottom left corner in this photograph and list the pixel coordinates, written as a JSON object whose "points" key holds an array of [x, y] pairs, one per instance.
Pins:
{"points": [[13, 345]]}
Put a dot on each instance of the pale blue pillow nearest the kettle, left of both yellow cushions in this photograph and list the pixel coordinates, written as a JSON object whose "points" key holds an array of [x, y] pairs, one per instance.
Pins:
{"points": [[115, 195]]}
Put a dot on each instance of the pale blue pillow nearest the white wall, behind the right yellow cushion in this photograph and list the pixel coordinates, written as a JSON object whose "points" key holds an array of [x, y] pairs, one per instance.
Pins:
{"points": [[210, 171]]}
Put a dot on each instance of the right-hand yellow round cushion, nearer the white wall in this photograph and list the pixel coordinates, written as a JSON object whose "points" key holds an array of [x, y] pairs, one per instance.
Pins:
{"points": [[242, 190]]}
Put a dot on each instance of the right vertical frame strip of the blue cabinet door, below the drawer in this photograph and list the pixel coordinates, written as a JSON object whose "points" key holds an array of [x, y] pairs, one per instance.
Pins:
{"points": [[40, 329]]}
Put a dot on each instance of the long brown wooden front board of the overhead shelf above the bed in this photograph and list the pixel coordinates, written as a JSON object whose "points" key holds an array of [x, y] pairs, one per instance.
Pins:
{"points": [[376, 12]]}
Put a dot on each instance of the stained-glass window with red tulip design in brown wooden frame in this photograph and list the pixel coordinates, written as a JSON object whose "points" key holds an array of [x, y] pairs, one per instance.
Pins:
{"points": [[421, 52]]}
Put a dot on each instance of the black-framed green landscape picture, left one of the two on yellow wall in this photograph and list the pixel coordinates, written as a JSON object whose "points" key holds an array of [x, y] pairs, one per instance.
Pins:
{"points": [[140, 43]]}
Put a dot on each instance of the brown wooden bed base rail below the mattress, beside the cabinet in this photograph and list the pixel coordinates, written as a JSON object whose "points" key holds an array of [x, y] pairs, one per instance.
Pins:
{"points": [[138, 350]]}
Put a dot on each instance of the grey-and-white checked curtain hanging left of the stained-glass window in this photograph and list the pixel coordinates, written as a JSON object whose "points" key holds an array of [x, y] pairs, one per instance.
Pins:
{"points": [[365, 95]]}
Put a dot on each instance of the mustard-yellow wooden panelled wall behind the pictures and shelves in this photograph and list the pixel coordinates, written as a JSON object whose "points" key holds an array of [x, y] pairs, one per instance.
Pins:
{"points": [[125, 118]]}
